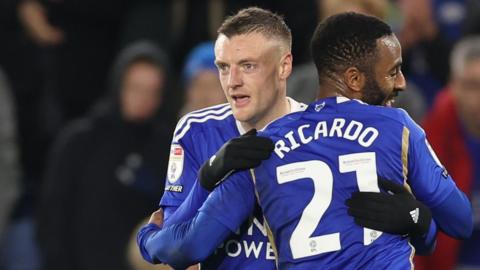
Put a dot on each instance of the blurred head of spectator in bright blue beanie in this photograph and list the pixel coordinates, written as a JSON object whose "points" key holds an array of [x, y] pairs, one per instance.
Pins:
{"points": [[200, 76]]}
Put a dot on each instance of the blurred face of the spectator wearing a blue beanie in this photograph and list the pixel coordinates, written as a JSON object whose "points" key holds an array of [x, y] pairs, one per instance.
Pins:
{"points": [[204, 90]]}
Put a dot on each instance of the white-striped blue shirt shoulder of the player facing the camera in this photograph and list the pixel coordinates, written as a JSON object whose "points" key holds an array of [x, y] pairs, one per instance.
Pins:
{"points": [[196, 121]]}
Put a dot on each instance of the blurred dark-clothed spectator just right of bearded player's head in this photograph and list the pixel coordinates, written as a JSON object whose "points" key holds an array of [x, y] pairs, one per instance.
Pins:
{"points": [[426, 32]]}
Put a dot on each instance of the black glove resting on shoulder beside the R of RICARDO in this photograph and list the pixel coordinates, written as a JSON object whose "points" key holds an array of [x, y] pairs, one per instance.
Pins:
{"points": [[244, 152]]}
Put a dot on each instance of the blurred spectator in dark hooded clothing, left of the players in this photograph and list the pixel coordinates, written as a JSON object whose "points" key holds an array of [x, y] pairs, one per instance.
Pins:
{"points": [[106, 172]]}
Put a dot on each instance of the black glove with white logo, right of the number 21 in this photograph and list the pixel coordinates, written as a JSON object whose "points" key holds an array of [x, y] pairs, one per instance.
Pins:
{"points": [[397, 213]]}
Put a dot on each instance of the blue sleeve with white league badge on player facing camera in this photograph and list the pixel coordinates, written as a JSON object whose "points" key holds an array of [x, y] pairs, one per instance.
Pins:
{"points": [[182, 171]]}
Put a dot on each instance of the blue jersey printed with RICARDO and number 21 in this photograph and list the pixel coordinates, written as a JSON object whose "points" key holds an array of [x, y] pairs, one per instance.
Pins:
{"points": [[336, 147]]}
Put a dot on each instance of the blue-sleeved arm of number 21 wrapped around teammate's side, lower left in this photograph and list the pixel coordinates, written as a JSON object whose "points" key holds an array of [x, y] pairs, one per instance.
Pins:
{"points": [[184, 244]]}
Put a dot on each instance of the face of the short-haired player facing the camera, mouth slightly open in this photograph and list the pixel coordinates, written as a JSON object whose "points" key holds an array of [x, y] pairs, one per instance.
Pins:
{"points": [[253, 71]]}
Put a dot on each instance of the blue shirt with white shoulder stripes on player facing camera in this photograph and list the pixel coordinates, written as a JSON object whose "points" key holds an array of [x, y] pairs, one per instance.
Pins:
{"points": [[197, 137]]}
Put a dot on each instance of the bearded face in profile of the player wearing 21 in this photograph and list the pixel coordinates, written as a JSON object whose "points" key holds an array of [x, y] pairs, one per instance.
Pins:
{"points": [[387, 81]]}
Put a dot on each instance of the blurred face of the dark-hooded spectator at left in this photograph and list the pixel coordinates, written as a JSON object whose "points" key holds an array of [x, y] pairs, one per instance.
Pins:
{"points": [[141, 93]]}
